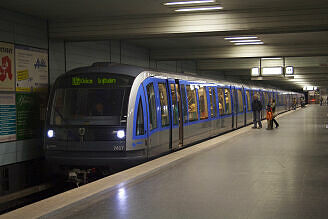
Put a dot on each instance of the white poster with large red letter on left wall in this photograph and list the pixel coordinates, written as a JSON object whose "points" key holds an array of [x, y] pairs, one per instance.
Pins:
{"points": [[7, 74]]}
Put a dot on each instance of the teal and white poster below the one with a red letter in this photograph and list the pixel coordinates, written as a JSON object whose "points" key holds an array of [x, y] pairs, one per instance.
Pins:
{"points": [[7, 117]]}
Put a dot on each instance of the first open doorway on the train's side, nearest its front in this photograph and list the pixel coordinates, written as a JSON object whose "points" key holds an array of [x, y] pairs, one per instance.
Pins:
{"points": [[174, 114]]}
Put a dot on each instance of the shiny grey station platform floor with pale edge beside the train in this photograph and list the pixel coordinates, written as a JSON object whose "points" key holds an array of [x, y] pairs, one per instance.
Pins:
{"points": [[247, 173]]}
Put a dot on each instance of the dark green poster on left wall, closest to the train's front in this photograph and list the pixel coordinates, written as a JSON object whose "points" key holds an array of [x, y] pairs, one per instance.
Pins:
{"points": [[28, 116]]}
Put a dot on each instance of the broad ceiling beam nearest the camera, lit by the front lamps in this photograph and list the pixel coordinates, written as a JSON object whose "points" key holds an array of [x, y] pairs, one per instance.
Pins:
{"points": [[194, 24]]}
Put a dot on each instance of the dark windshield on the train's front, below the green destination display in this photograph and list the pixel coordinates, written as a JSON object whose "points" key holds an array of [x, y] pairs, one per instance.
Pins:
{"points": [[90, 106]]}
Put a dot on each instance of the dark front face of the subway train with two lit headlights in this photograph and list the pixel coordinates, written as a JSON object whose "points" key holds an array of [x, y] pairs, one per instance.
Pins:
{"points": [[86, 123]]}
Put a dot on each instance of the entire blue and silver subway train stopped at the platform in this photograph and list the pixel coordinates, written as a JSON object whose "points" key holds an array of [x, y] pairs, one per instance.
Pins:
{"points": [[113, 115]]}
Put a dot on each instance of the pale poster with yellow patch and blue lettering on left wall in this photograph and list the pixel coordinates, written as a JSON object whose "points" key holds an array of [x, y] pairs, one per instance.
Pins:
{"points": [[31, 69]]}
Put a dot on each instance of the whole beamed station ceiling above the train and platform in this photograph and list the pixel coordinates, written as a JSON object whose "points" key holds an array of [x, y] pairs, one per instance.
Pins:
{"points": [[294, 29]]}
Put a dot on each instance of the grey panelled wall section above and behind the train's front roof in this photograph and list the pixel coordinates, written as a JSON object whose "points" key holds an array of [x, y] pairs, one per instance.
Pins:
{"points": [[65, 56]]}
